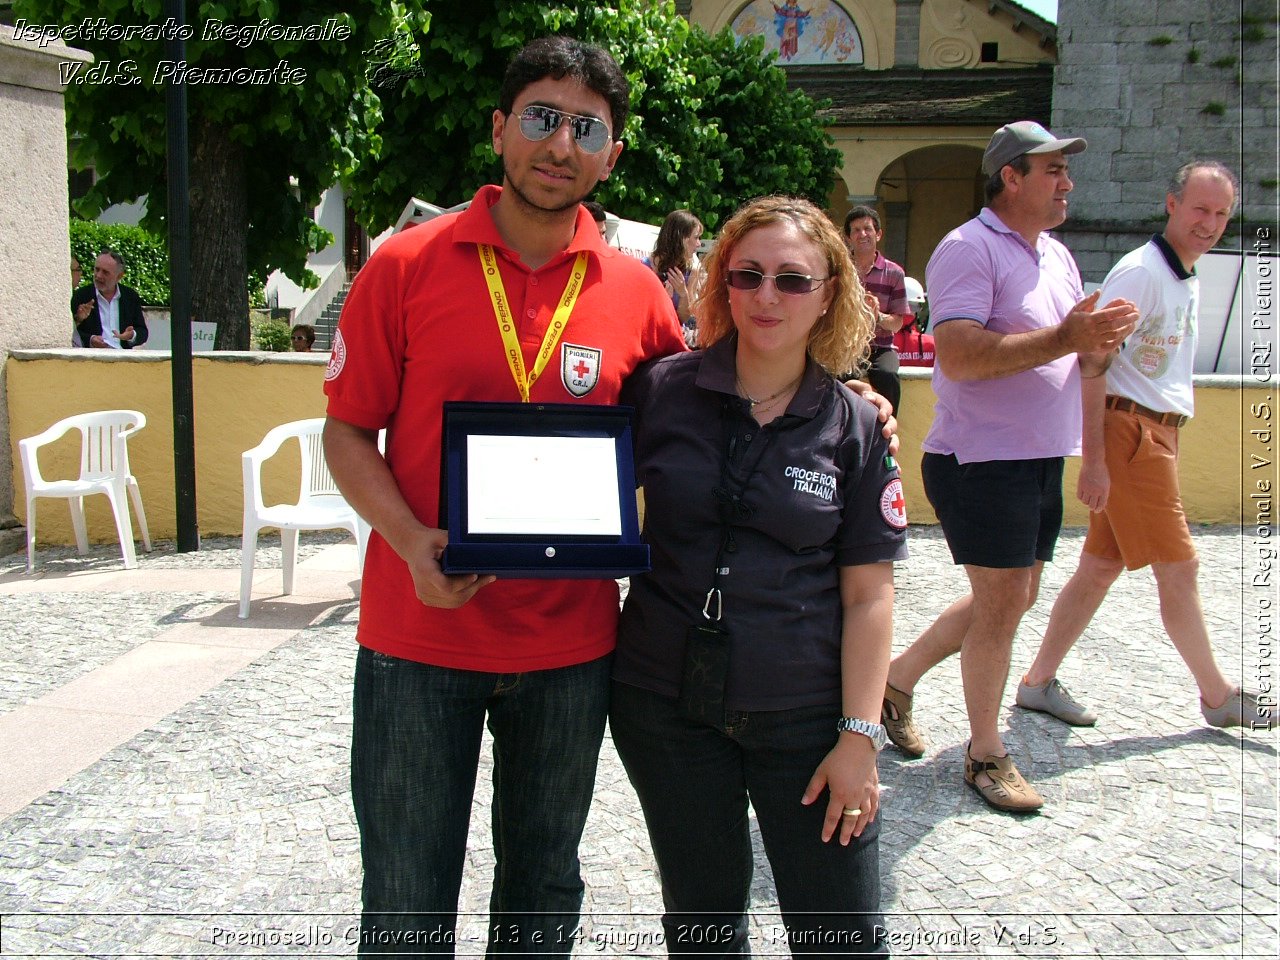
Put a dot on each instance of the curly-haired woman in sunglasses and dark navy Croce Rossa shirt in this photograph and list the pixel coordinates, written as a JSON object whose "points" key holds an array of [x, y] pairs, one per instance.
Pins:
{"points": [[752, 661]]}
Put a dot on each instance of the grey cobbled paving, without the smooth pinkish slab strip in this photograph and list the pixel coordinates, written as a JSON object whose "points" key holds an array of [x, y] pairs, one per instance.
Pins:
{"points": [[1159, 836]]}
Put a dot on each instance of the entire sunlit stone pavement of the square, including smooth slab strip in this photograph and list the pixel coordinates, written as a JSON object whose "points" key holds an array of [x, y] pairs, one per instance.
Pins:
{"points": [[175, 781]]}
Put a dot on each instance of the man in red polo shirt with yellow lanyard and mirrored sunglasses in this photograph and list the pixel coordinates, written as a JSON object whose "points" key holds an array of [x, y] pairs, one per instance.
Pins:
{"points": [[444, 656]]}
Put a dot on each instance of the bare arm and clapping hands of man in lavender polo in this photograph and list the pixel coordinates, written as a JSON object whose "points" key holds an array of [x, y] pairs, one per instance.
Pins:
{"points": [[970, 351]]}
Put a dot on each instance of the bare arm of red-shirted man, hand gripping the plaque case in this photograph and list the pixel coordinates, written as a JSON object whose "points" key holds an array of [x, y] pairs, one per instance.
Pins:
{"points": [[367, 482]]}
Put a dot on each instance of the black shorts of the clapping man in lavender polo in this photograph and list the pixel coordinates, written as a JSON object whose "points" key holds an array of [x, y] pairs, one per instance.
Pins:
{"points": [[996, 514]]}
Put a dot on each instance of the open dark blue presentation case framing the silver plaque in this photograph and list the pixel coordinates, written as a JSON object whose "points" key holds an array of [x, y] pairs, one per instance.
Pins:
{"points": [[538, 556]]}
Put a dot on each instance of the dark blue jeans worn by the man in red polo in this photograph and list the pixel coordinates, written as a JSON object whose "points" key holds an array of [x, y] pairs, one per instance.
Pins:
{"points": [[415, 749]]}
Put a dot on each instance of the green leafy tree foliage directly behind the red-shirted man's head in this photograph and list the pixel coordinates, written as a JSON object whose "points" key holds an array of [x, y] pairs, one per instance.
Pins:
{"points": [[712, 125]]}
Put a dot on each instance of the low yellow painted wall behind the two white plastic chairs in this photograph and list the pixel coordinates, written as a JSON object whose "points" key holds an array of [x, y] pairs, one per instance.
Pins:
{"points": [[239, 397]]}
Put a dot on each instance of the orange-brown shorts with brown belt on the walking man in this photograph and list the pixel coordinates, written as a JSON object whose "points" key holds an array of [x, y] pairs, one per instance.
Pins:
{"points": [[1144, 522]]}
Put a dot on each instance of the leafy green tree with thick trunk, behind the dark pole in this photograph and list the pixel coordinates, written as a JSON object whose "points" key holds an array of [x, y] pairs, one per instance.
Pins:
{"points": [[262, 153]]}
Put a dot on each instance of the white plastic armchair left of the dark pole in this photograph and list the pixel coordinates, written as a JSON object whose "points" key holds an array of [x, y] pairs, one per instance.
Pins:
{"points": [[104, 469]]}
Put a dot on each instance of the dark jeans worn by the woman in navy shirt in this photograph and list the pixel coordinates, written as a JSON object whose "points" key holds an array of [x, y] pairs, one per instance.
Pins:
{"points": [[694, 783]]}
